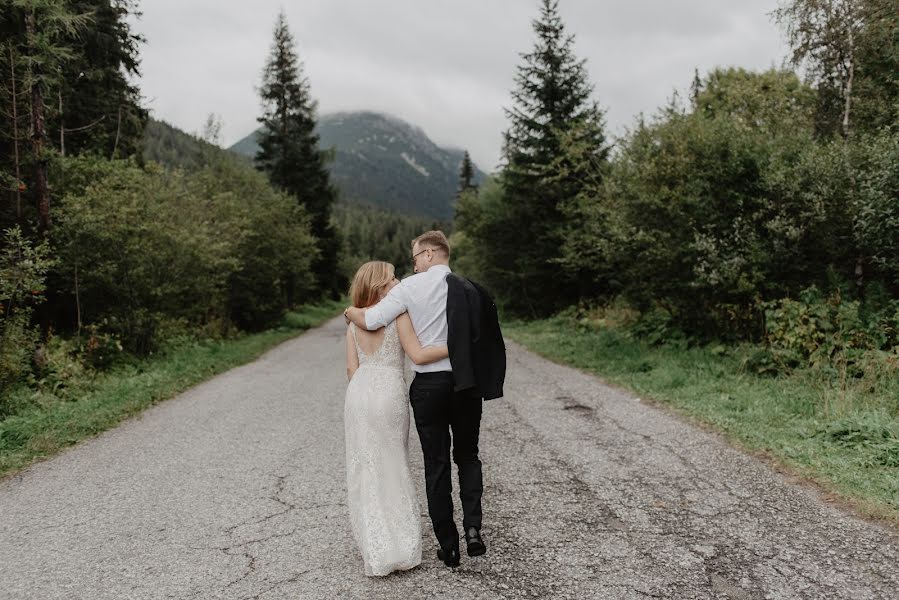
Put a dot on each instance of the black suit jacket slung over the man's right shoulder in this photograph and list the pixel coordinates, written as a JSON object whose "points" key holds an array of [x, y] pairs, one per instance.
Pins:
{"points": [[477, 352]]}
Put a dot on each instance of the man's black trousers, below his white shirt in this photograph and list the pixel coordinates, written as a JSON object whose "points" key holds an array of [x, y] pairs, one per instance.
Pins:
{"points": [[439, 411]]}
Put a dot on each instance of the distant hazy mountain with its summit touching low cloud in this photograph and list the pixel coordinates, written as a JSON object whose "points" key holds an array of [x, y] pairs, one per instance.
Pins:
{"points": [[385, 162]]}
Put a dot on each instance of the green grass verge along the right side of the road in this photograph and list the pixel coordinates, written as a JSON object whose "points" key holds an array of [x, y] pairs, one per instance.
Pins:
{"points": [[845, 439]]}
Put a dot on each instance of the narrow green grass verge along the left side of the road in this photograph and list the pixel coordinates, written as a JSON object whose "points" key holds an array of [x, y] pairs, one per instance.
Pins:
{"points": [[47, 423]]}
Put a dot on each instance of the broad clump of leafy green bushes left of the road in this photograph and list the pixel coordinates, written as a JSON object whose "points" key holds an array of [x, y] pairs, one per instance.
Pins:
{"points": [[142, 247]]}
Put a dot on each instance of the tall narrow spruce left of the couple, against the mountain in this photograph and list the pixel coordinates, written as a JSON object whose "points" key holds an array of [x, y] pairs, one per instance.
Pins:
{"points": [[289, 151]]}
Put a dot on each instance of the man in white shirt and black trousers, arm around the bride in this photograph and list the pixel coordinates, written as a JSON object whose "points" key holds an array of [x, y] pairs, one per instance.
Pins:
{"points": [[438, 407]]}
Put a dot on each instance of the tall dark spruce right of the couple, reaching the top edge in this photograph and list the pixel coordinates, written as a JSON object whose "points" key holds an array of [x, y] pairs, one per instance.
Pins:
{"points": [[553, 113]]}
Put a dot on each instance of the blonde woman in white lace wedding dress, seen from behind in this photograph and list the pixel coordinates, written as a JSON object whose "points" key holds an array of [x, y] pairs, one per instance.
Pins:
{"points": [[384, 510]]}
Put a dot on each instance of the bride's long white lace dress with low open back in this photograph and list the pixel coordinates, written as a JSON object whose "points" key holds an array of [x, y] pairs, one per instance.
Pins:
{"points": [[384, 510]]}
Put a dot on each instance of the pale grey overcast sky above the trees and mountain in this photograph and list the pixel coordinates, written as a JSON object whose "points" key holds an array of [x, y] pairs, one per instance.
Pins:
{"points": [[447, 67]]}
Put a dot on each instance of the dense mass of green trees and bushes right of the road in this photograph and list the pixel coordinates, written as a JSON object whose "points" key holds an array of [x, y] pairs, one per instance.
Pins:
{"points": [[718, 214]]}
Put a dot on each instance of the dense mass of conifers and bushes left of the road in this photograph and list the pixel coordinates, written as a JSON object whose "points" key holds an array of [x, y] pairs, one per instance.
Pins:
{"points": [[106, 255]]}
